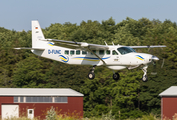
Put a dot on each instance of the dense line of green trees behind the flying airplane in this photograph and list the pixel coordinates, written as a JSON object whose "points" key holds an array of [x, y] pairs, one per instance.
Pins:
{"points": [[128, 97]]}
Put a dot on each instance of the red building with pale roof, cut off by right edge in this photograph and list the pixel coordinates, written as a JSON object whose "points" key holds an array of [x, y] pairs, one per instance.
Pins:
{"points": [[169, 102]]}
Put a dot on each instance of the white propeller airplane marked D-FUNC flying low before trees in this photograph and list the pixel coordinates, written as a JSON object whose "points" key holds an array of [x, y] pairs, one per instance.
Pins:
{"points": [[114, 57]]}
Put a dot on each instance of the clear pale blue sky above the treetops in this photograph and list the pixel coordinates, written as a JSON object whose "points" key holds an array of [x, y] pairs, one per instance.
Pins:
{"points": [[18, 14]]}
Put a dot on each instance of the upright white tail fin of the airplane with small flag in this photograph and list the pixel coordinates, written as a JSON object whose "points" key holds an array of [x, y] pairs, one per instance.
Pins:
{"points": [[36, 35]]}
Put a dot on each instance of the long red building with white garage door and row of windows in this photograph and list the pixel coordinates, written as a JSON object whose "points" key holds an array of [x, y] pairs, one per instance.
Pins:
{"points": [[34, 102]]}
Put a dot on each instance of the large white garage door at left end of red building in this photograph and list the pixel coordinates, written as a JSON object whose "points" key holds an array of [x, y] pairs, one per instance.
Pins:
{"points": [[8, 111]]}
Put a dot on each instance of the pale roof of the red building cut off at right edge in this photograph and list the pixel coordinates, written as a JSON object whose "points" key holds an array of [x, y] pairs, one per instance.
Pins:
{"points": [[171, 91]]}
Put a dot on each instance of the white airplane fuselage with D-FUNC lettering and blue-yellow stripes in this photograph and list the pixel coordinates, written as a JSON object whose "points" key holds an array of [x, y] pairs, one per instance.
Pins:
{"points": [[113, 61]]}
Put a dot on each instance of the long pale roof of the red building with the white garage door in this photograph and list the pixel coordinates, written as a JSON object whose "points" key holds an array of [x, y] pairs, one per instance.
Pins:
{"points": [[38, 92]]}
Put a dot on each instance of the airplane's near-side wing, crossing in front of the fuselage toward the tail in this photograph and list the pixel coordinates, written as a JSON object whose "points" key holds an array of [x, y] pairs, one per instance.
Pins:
{"points": [[76, 45]]}
